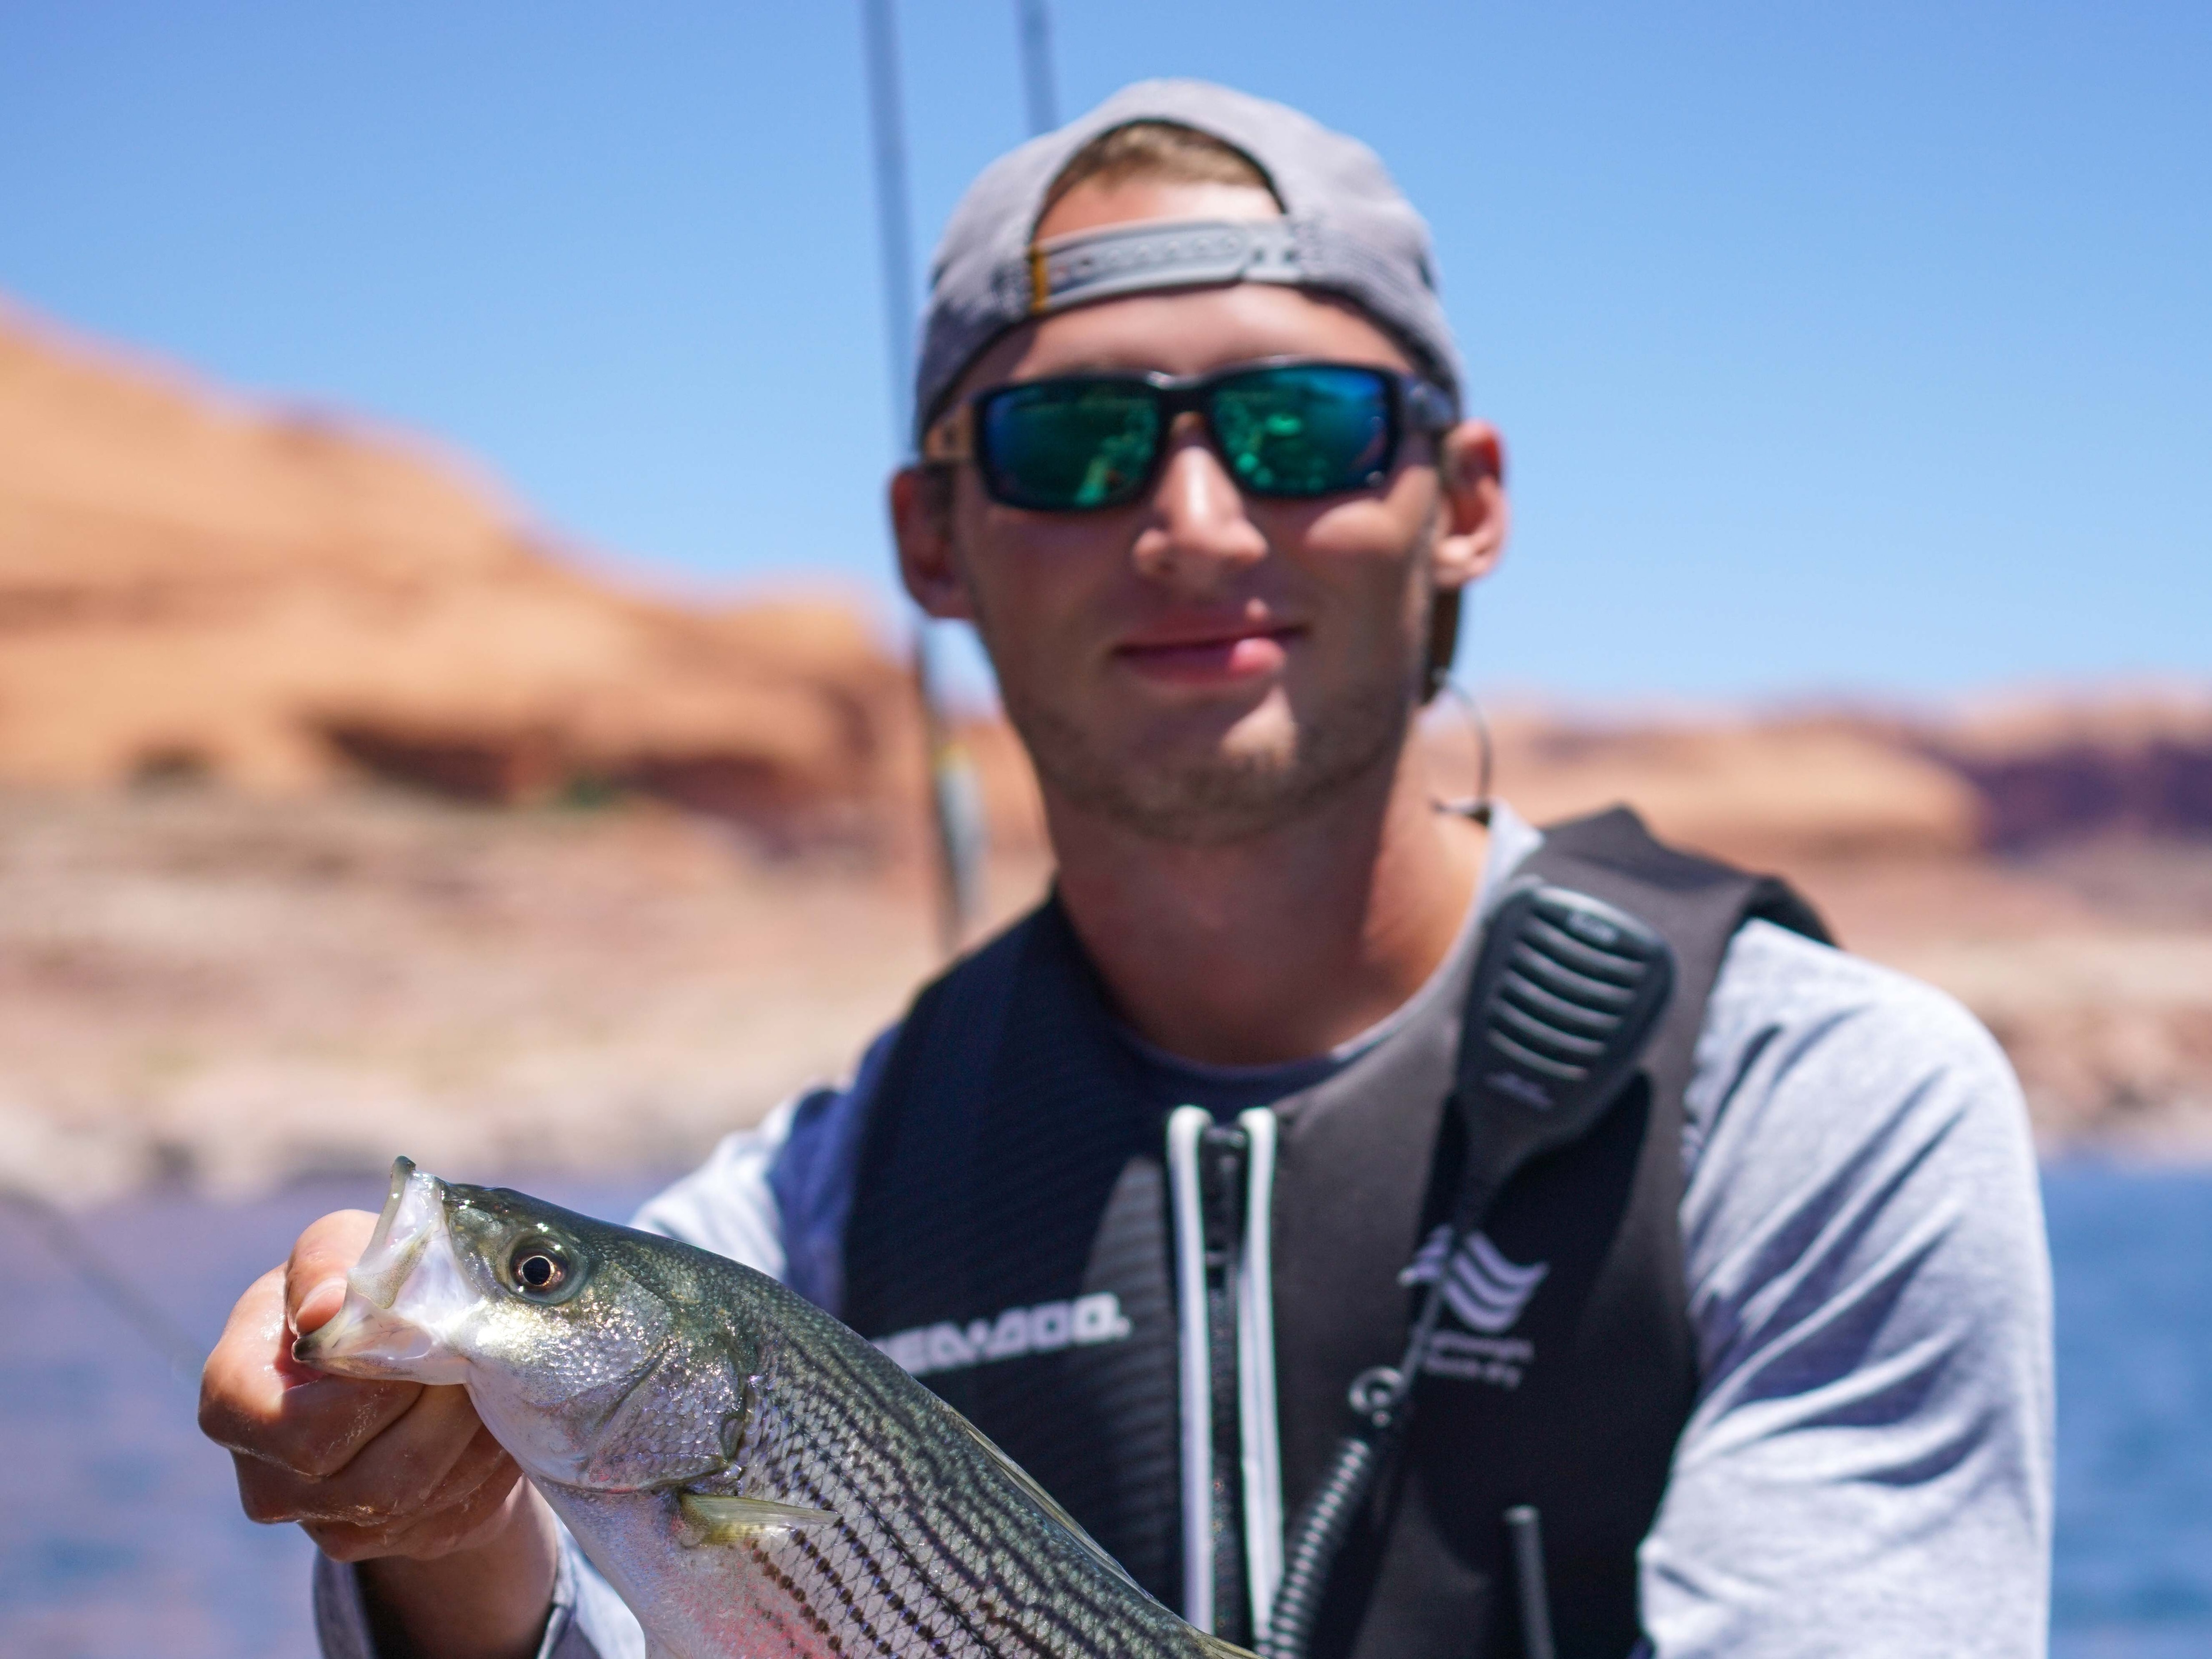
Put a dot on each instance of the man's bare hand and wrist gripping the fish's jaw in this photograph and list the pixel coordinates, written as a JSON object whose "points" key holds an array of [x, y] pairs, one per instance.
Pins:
{"points": [[393, 1474]]}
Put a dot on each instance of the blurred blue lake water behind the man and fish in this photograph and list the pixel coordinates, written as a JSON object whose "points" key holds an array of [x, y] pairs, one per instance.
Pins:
{"points": [[121, 1530]]}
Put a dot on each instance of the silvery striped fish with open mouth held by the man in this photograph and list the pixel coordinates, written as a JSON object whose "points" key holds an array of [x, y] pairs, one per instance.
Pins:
{"points": [[755, 1479]]}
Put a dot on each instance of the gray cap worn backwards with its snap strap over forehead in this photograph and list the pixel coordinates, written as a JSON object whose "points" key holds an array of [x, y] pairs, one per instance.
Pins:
{"points": [[1346, 229]]}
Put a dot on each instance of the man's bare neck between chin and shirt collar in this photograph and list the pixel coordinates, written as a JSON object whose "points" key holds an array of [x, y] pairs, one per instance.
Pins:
{"points": [[1282, 946]]}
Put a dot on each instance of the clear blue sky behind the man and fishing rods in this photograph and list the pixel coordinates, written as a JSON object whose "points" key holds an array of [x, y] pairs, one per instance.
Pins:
{"points": [[1839, 348]]}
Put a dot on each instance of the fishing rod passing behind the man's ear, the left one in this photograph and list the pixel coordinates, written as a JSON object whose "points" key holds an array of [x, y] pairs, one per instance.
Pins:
{"points": [[954, 795]]}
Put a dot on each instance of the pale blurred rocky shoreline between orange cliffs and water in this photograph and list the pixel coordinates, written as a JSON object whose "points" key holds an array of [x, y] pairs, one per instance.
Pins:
{"points": [[225, 994]]}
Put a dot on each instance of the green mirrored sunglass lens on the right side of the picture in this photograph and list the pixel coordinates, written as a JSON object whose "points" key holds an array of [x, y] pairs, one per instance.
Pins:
{"points": [[1304, 430]]}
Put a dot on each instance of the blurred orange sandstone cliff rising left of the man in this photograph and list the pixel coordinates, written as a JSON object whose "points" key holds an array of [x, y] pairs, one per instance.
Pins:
{"points": [[189, 585]]}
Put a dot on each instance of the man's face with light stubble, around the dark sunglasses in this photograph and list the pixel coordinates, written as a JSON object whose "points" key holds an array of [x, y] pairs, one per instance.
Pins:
{"points": [[1198, 667]]}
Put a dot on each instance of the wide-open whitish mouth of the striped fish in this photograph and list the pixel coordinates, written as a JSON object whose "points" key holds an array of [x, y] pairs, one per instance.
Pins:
{"points": [[406, 1300]]}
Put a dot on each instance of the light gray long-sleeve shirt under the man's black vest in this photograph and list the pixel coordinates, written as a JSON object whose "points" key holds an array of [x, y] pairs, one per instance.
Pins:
{"points": [[1868, 1465]]}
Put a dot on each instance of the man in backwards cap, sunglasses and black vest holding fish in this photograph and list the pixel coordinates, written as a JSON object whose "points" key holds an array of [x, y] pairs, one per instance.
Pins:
{"points": [[1768, 1348]]}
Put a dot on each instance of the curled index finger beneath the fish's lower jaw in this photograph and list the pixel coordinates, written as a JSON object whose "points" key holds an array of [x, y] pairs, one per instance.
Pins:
{"points": [[255, 1401]]}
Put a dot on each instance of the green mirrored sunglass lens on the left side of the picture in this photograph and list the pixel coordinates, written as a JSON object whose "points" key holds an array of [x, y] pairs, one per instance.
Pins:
{"points": [[1065, 446]]}
